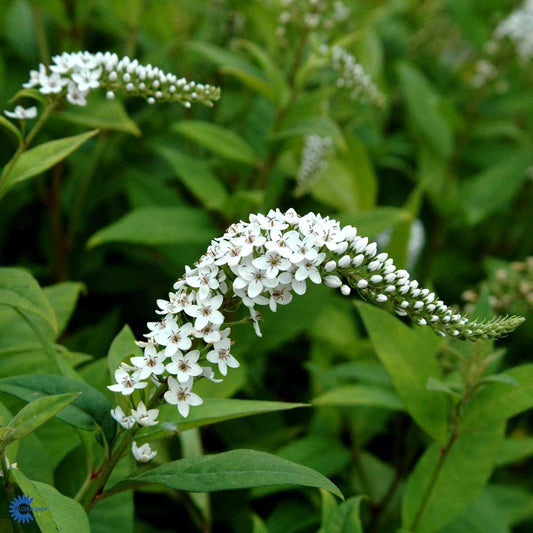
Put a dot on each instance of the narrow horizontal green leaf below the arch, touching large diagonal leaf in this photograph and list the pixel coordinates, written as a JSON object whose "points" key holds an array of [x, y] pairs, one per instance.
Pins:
{"points": [[351, 395]]}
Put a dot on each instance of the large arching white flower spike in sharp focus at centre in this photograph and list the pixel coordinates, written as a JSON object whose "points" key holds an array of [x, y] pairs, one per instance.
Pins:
{"points": [[264, 262]]}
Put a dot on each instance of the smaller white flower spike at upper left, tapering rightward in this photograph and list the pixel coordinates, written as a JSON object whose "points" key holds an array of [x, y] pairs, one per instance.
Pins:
{"points": [[76, 74]]}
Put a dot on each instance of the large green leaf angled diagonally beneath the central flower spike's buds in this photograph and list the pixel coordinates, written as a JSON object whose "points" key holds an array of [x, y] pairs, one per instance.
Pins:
{"points": [[410, 364]]}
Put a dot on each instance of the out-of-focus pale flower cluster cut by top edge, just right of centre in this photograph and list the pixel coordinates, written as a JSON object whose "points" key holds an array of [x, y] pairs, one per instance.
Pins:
{"points": [[312, 14]]}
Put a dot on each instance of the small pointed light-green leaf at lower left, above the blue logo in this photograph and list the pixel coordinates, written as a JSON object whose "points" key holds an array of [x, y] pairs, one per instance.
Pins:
{"points": [[37, 412]]}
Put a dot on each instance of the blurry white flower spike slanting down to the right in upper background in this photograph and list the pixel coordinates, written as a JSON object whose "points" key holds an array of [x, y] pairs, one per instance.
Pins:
{"points": [[353, 77]]}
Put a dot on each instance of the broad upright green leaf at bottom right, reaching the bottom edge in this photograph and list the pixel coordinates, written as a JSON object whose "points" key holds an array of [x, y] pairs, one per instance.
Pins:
{"points": [[442, 485]]}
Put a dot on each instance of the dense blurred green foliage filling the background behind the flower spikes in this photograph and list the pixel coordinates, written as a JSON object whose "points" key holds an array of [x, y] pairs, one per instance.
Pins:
{"points": [[441, 174]]}
